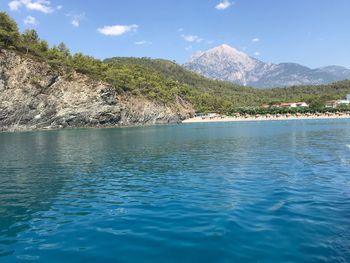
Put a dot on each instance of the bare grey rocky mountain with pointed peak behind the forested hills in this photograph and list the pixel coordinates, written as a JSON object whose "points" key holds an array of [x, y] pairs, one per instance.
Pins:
{"points": [[229, 64]]}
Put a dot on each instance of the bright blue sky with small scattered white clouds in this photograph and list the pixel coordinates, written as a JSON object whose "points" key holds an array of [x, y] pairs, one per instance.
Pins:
{"points": [[314, 33]]}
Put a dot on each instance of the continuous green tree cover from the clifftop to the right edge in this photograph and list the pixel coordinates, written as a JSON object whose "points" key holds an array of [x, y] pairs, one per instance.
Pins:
{"points": [[163, 80]]}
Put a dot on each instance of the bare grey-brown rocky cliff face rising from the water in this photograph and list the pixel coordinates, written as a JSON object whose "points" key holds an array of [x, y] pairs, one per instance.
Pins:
{"points": [[33, 96]]}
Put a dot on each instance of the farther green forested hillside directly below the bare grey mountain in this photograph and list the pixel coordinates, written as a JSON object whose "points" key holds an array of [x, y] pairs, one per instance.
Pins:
{"points": [[239, 96]]}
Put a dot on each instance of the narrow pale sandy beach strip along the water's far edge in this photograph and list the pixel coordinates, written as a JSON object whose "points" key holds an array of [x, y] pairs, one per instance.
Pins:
{"points": [[262, 118]]}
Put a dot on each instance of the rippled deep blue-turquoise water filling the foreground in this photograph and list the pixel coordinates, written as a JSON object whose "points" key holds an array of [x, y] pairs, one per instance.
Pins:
{"points": [[227, 192]]}
